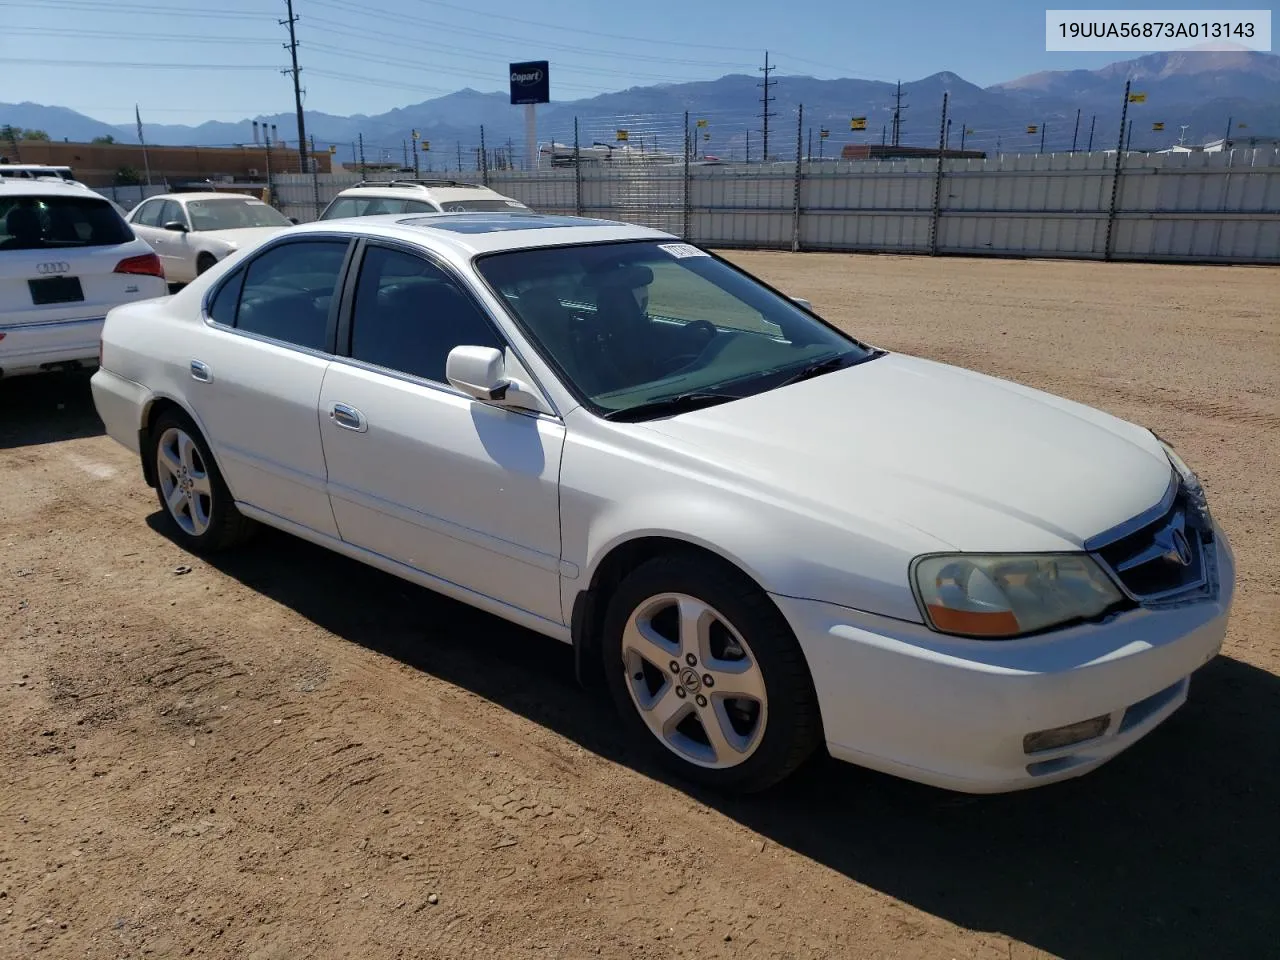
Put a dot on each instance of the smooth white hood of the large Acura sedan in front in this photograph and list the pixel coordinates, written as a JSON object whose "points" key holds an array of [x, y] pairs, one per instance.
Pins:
{"points": [[976, 463]]}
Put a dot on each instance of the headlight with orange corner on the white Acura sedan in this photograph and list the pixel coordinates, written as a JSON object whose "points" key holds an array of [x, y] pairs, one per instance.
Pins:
{"points": [[1007, 596]]}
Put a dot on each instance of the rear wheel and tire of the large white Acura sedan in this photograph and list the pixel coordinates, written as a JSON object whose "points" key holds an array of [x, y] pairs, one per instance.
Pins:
{"points": [[191, 490]]}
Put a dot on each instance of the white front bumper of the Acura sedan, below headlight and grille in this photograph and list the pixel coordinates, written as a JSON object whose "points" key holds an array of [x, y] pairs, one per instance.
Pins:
{"points": [[953, 714]]}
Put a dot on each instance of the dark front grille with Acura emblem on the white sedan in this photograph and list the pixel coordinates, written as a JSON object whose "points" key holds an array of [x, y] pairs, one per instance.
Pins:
{"points": [[1167, 557]]}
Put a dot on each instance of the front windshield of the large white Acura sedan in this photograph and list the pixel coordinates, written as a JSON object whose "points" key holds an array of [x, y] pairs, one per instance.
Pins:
{"points": [[638, 323]]}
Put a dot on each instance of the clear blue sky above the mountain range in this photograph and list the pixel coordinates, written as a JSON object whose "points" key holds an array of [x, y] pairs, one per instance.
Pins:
{"points": [[186, 62]]}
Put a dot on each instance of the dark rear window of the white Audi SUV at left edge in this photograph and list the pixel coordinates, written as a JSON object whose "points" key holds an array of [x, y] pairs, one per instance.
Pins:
{"points": [[58, 223]]}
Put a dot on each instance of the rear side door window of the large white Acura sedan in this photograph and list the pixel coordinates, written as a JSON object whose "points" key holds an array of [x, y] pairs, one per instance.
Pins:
{"points": [[289, 291]]}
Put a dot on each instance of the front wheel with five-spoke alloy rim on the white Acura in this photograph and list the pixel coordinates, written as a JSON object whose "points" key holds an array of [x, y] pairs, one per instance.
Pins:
{"points": [[746, 646]]}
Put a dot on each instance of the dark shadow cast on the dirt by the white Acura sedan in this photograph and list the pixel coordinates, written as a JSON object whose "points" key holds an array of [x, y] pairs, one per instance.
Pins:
{"points": [[1171, 851]]}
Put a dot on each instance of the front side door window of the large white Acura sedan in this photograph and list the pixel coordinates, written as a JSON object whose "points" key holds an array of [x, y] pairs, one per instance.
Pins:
{"points": [[410, 314]]}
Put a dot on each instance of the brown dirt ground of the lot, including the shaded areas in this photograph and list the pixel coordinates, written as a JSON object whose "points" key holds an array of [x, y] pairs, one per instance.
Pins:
{"points": [[289, 756]]}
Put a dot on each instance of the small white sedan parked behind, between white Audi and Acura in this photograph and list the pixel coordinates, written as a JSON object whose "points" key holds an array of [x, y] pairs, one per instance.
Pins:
{"points": [[191, 232]]}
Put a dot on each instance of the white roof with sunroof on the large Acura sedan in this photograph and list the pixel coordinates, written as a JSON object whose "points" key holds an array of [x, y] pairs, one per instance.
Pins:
{"points": [[472, 234]]}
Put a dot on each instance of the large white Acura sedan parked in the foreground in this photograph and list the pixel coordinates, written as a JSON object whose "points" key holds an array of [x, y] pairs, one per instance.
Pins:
{"points": [[761, 534]]}
